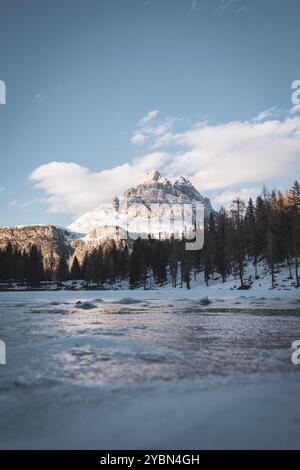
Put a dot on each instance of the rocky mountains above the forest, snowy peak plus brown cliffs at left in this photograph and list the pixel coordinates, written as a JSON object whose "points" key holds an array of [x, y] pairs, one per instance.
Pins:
{"points": [[154, 199]]}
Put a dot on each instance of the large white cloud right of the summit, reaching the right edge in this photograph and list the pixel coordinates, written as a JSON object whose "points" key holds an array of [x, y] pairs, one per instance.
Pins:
{"points": [[217, 157]]}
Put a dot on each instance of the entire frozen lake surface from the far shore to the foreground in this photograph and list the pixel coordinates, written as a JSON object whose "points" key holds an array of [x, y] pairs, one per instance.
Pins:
{"points": [[149, 370]]}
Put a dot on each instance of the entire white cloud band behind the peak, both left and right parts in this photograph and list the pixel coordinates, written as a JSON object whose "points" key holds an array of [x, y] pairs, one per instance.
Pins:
{"points": [[239, 154]]}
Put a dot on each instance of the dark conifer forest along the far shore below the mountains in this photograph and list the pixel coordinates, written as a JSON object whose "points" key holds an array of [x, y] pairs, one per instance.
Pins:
{"points": [[267, 229]]}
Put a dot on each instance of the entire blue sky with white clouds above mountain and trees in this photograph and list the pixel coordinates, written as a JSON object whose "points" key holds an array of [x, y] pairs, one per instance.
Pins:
{"points": [[100, 91]]}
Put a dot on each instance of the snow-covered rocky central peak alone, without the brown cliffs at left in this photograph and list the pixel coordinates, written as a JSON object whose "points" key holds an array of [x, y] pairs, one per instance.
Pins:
{"points": [[155, 200]]}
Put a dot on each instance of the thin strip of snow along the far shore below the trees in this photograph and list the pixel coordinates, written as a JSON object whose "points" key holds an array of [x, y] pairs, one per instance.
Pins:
{"points": [[207, 298]]}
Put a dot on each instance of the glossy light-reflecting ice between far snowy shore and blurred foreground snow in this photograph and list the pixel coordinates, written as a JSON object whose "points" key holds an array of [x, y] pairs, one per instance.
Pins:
{"points": [[132, 341]]}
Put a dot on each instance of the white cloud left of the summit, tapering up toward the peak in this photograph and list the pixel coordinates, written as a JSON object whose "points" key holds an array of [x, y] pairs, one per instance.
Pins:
{"points": [[74, 189]]}
